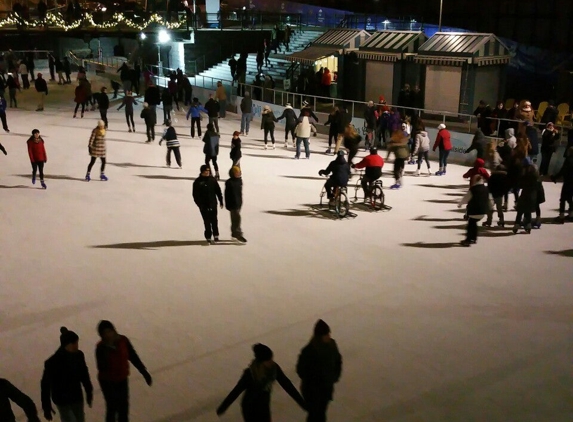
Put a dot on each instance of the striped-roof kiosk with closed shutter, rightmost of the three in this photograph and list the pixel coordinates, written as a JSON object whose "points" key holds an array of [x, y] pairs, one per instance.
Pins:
{"points": [[462, 69]]}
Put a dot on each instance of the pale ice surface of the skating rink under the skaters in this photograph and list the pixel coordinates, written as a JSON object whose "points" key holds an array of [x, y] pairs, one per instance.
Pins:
{"points": [[429, 331]]}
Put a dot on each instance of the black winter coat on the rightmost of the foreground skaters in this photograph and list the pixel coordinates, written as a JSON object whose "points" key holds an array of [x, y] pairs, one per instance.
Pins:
{"points": [[319, 367]]}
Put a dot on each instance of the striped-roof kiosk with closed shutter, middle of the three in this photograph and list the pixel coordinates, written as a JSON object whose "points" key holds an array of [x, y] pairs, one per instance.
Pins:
{"points": [[387, 63]]}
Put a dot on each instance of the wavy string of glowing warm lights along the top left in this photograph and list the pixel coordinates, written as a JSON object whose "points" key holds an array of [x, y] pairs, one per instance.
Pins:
{"points": [[87, 20]]}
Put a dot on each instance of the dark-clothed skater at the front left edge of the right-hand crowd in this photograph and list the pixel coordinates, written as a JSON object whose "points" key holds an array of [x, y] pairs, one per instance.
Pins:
{"points": [[478, 205]]}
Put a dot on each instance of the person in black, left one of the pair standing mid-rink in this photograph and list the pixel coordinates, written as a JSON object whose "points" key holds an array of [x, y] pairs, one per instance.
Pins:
{"points": [[206, 192]]}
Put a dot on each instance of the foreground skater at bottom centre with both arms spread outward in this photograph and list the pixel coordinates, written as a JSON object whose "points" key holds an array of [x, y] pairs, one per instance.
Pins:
{"points": [[257, 381]]}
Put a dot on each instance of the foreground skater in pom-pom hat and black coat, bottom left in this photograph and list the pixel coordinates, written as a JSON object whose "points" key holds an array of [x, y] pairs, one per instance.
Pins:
{"points": [[65, 373]]}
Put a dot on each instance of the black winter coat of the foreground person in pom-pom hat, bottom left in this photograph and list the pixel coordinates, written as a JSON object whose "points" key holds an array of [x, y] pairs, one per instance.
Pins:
{"points": [[64, 375]]}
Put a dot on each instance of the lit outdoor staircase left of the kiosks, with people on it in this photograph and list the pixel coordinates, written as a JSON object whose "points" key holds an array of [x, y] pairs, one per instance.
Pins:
{"points": [[279, 65]]}
